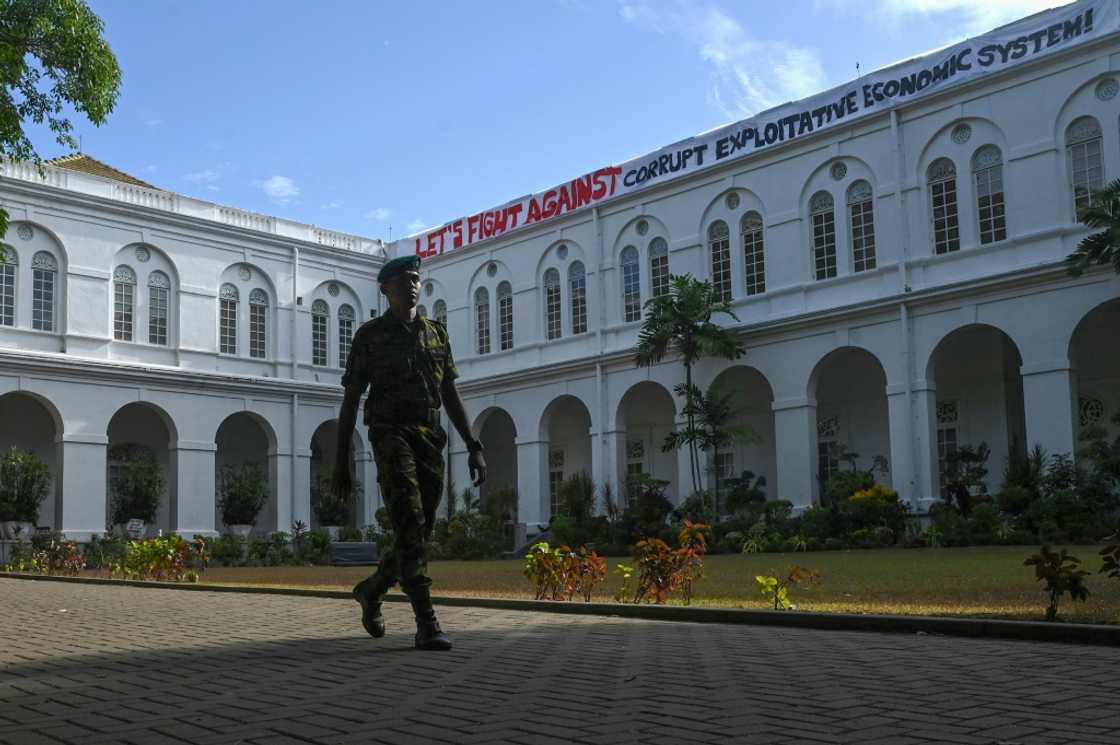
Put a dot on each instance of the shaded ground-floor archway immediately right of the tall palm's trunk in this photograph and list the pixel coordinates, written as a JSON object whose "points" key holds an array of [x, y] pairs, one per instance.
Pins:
{"points": [[753, 421]]}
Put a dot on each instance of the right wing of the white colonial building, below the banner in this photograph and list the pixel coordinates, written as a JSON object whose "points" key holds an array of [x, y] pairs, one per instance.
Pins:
{"points": [[899, 282]]}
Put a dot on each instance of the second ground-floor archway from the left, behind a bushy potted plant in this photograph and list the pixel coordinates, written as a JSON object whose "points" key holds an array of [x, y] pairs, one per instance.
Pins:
{"points": [[142, 430]]}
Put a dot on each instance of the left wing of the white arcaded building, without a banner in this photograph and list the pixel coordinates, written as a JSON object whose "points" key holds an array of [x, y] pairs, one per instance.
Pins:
{"points": [[208, 334]]}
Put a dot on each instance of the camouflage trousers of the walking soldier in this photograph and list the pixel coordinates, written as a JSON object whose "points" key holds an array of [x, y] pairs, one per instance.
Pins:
{"points": [[410, 472]]}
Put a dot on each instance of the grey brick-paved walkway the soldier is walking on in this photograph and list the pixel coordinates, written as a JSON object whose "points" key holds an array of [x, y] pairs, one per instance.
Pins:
{"points": [[88, 665]]}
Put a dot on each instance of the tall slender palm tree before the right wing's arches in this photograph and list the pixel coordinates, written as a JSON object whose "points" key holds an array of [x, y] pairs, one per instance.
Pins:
{"points": [[680, 321]]}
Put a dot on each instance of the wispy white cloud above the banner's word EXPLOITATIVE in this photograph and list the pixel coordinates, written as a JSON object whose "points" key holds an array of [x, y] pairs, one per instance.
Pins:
{"points": [[748, 76]]}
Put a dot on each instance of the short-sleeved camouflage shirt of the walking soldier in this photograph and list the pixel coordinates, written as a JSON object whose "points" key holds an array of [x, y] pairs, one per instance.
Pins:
{"points": [[405, 366]]}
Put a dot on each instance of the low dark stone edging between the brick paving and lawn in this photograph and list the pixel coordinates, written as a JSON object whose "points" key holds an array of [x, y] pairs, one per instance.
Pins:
{"points": [[949, 627]]}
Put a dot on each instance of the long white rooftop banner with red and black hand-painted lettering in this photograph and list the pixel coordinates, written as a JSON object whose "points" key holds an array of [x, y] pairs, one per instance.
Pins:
{"points": [[1018, 43]]}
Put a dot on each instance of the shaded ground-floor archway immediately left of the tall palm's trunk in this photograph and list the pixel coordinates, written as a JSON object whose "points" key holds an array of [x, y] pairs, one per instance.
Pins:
{"points": [[645, 418]]}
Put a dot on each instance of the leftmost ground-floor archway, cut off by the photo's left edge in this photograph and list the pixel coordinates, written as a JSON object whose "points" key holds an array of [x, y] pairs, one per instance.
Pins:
{"points": [[33, 425]]}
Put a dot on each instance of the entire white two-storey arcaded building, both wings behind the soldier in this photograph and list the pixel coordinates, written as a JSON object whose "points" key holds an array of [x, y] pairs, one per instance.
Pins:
{"points": [[899, 282]]}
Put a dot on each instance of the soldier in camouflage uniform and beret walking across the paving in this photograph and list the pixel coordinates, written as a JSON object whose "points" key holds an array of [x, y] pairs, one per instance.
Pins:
{"points": [[407, 362]]}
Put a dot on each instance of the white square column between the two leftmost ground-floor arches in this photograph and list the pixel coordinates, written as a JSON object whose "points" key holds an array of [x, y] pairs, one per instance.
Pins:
{"points": [[85, 472]]}
